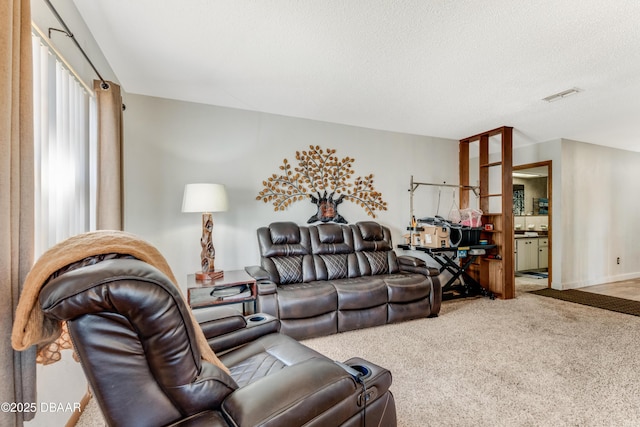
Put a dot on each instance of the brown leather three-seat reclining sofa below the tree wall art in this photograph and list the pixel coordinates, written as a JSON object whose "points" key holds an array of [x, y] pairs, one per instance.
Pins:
{"points": [[328, 278]]}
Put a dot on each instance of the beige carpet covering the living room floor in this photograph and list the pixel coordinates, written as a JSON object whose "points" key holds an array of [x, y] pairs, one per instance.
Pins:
{"points": [[531, 361]]}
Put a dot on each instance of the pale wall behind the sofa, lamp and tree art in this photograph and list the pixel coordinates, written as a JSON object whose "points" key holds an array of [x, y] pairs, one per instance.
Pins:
{"points": [[170, 143]]}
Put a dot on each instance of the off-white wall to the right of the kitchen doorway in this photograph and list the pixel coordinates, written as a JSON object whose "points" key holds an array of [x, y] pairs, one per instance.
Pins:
{"points": [[600, 188]]}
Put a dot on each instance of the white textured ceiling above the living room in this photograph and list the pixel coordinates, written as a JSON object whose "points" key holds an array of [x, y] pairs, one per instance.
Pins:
{"points": [[442, 68]]}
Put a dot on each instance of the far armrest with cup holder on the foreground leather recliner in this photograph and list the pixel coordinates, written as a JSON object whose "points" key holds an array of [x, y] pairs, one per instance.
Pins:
{"points": [[225, 328]]}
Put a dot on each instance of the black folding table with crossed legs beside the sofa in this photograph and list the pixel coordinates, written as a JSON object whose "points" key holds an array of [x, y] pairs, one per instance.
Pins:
{"points": [[450, 261]]}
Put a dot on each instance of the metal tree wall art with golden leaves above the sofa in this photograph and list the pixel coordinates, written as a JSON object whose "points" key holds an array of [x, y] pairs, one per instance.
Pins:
{"points": [[324, 179]]}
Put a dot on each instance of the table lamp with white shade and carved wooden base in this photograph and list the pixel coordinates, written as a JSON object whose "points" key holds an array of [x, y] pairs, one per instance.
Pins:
{"points": [[206, 198]]}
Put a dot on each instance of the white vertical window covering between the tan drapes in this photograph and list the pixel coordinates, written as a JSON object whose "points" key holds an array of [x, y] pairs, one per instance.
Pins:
{"points": [[64, 137]]}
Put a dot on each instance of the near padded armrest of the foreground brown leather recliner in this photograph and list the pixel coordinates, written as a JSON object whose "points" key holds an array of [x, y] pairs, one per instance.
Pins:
{"points": [[322, 389]]}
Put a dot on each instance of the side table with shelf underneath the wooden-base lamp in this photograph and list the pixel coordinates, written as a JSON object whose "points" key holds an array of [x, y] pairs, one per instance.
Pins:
{"points": [[236, 287]]}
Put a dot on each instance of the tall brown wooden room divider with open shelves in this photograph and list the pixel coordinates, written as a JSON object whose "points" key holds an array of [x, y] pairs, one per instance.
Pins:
{"points": [[497, 275]]}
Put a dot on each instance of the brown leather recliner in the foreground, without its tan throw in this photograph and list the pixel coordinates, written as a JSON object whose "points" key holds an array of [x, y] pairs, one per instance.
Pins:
{"points": [[132, 332]]}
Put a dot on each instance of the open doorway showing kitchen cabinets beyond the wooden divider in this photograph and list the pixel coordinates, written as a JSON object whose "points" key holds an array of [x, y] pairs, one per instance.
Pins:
{"points": [[532, 215]]}
